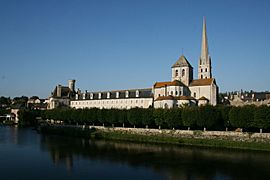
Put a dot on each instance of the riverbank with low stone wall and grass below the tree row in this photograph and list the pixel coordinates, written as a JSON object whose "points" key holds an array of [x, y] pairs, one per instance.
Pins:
{"points": [[216, 139]]}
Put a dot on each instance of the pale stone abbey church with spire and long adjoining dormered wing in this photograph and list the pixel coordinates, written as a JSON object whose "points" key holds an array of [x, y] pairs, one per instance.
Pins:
{"points": [[183, 89]]}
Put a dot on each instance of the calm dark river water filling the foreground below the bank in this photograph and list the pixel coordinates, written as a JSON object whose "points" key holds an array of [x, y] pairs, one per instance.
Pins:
{"points": [[24, 154]]}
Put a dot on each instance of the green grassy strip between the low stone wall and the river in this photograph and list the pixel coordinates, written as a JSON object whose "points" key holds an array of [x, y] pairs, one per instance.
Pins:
{"points": [[123, 136]]}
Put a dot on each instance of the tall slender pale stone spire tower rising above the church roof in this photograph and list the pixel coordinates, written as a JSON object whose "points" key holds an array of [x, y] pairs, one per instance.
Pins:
{"points": [[205, 69]]}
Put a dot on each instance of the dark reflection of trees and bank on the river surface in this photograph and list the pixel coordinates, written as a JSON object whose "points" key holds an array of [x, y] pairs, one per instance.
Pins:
{"points": [[170, 162]]}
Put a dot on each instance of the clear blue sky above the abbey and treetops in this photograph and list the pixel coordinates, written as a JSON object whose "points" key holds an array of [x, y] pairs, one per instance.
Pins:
{"points": [[123, 44]]}
